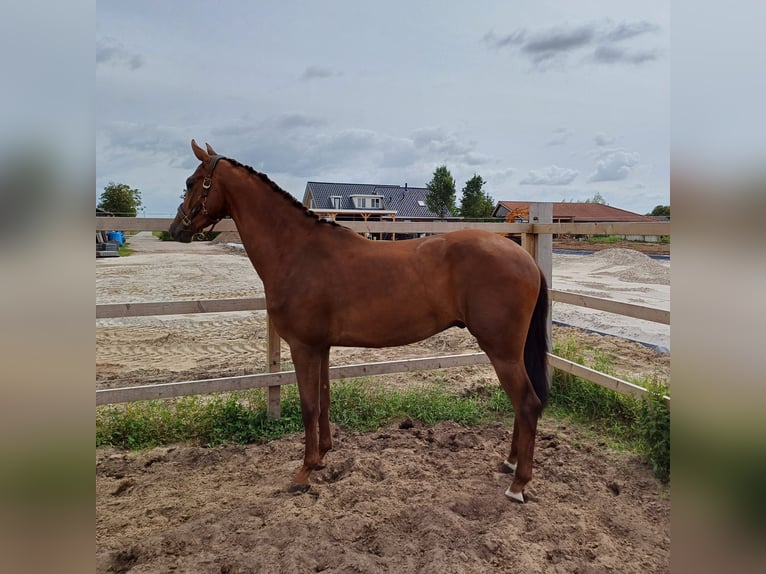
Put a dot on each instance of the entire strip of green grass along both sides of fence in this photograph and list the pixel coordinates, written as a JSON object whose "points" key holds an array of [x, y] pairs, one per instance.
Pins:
{"points": [[358, 405]]}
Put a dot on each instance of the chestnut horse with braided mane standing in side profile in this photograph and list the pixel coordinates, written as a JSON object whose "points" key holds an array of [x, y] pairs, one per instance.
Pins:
{"points": [[326, 285]]}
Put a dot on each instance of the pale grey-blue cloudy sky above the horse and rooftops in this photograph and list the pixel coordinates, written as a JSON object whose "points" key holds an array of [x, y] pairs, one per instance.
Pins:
{"points": [[546, 100]]}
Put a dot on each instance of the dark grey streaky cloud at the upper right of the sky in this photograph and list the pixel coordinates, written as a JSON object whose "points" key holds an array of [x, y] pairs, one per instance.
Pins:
{"points": [[599, 42]]}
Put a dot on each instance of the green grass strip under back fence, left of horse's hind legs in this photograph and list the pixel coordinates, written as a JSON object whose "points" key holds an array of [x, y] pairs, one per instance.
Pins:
{"points": [[242, 417]]}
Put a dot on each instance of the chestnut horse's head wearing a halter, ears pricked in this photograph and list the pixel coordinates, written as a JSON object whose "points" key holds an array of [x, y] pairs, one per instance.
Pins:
{"points": [[204, 204]]}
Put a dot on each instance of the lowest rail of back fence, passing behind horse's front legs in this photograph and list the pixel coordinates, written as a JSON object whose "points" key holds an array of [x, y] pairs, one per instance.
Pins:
{"points": [[242, 382]]}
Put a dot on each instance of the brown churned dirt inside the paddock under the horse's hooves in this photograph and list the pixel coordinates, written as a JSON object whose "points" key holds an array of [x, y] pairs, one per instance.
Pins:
{"points": [[420, 499]]}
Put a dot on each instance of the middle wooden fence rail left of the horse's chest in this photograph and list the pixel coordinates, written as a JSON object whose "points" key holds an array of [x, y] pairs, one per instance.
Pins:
{"points": [[115, 310]]}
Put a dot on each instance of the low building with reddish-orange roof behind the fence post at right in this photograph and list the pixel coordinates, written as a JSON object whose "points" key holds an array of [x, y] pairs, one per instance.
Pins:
{"points": [[575, 212]]}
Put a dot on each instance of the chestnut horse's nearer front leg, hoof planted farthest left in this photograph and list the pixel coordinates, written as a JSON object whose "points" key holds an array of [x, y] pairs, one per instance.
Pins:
{"points": [[308, 366]]}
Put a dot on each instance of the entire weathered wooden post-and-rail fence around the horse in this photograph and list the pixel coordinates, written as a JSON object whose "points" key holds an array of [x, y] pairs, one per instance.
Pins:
{"points": [[536, 238]]}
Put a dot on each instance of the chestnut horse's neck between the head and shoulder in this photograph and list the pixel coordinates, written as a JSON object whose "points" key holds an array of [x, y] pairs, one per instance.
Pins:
{"points": [[273, 230]]}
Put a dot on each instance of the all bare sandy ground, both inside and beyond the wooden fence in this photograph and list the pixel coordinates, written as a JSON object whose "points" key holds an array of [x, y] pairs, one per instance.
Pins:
{"points": [[419, 499]]}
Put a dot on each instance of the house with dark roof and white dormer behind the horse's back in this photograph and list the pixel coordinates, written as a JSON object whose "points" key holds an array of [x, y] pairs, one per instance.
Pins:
{"points": [[367, 202]]}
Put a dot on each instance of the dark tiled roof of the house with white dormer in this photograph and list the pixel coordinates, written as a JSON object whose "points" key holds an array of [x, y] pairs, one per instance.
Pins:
{"points": [[403, 200]]}
